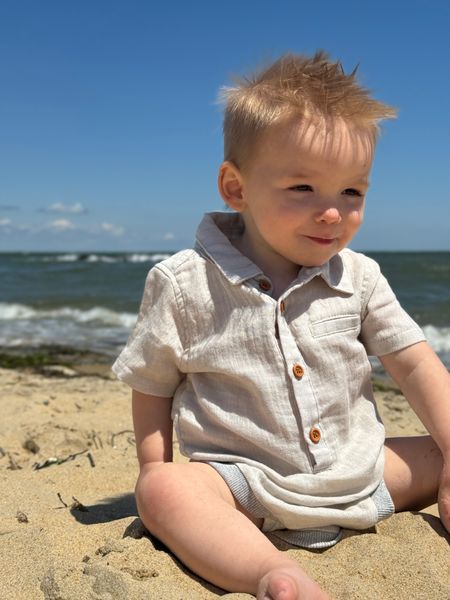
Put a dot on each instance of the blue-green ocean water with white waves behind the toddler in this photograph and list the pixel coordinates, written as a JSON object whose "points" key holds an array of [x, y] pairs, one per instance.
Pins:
{"points": [[90, 301]]}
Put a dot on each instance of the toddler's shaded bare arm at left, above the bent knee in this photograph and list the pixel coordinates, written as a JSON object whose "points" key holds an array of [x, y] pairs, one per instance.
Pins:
{"points": [[152, 428]]}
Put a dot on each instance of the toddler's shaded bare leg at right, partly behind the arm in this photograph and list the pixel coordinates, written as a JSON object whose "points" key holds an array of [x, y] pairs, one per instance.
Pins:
{"points": [[412, 470]]}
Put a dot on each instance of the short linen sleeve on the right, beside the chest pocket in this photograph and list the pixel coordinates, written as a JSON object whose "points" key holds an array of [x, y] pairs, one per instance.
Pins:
{"points": [[386, 327]]}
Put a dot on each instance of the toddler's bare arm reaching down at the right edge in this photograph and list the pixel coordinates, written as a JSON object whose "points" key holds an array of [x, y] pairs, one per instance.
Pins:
{"points": [[425, 382]]}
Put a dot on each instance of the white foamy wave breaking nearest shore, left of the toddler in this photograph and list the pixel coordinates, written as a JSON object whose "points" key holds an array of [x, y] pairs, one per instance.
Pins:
{"points": [[97, 314]]}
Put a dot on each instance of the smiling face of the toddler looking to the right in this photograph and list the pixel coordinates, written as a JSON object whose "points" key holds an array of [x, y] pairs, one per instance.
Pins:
{"points": [[303, 194]]}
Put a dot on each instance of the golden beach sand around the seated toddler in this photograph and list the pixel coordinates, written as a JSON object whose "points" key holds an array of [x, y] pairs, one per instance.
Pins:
{"points": [[70, 531]]}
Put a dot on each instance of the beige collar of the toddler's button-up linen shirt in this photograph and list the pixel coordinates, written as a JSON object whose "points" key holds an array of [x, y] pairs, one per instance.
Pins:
{"points": [[213, 241]]}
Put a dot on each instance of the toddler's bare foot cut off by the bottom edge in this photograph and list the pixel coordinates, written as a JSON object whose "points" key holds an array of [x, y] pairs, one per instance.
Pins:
{"points": [[289, 582]]}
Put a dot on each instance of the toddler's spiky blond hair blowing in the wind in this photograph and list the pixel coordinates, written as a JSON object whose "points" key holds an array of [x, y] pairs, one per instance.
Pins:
{"points": [[295, 86]]}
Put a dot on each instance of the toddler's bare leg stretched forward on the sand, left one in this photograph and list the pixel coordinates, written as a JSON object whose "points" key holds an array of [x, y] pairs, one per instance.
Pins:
{"points": [[190, 508]]}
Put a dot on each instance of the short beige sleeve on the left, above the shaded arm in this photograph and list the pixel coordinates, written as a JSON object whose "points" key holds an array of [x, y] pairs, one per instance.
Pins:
{"points": [[151, 362]]}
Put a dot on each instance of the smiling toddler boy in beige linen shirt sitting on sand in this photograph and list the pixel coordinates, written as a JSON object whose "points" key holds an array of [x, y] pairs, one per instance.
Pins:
{"points": [[254, 346]]}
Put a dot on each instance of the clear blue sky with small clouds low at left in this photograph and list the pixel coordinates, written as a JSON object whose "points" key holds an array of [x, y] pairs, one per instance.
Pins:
{"points": [[110, 136]]}
